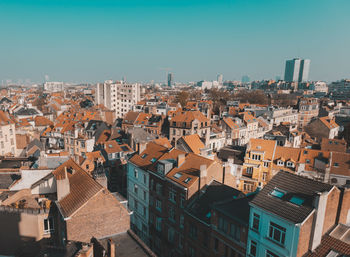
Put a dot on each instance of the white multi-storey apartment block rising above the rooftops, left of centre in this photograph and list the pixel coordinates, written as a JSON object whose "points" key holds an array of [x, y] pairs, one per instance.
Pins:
{"points": [[118, 96]]}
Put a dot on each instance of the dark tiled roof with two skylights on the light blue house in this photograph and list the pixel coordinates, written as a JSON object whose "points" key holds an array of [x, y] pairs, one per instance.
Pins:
{"points": [[292, 185]]}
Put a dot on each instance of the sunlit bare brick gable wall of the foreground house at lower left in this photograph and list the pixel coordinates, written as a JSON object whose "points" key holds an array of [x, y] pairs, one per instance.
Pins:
{"points": [[102, 216]]}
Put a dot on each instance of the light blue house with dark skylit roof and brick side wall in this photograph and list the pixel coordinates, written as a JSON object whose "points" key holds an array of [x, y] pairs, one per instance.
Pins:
{"points": [[290, 215]]}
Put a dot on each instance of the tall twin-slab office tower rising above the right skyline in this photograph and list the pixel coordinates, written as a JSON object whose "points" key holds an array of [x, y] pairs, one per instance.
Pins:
{"points": [[297, 70]]}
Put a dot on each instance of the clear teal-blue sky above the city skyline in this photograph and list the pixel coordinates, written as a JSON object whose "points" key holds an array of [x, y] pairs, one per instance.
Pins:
{"points": [[95, 40]]}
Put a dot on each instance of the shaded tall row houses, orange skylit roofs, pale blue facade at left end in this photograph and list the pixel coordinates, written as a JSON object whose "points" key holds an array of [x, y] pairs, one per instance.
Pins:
{"points": [[161, 181]]}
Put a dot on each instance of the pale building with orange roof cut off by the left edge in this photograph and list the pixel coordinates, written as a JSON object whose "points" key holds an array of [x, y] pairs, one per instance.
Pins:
{"points": [[7, 135]]}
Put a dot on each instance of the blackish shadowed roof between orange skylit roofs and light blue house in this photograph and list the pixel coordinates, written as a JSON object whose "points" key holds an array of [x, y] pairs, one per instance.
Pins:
{"points": [[215, 192]]}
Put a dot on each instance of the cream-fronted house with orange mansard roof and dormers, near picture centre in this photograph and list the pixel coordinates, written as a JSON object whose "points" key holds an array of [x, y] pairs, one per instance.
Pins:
{"points": [[188, 123]]}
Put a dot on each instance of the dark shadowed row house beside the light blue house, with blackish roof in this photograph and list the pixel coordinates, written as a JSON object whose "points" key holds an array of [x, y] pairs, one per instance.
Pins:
{"points": [[216, 222]]}
